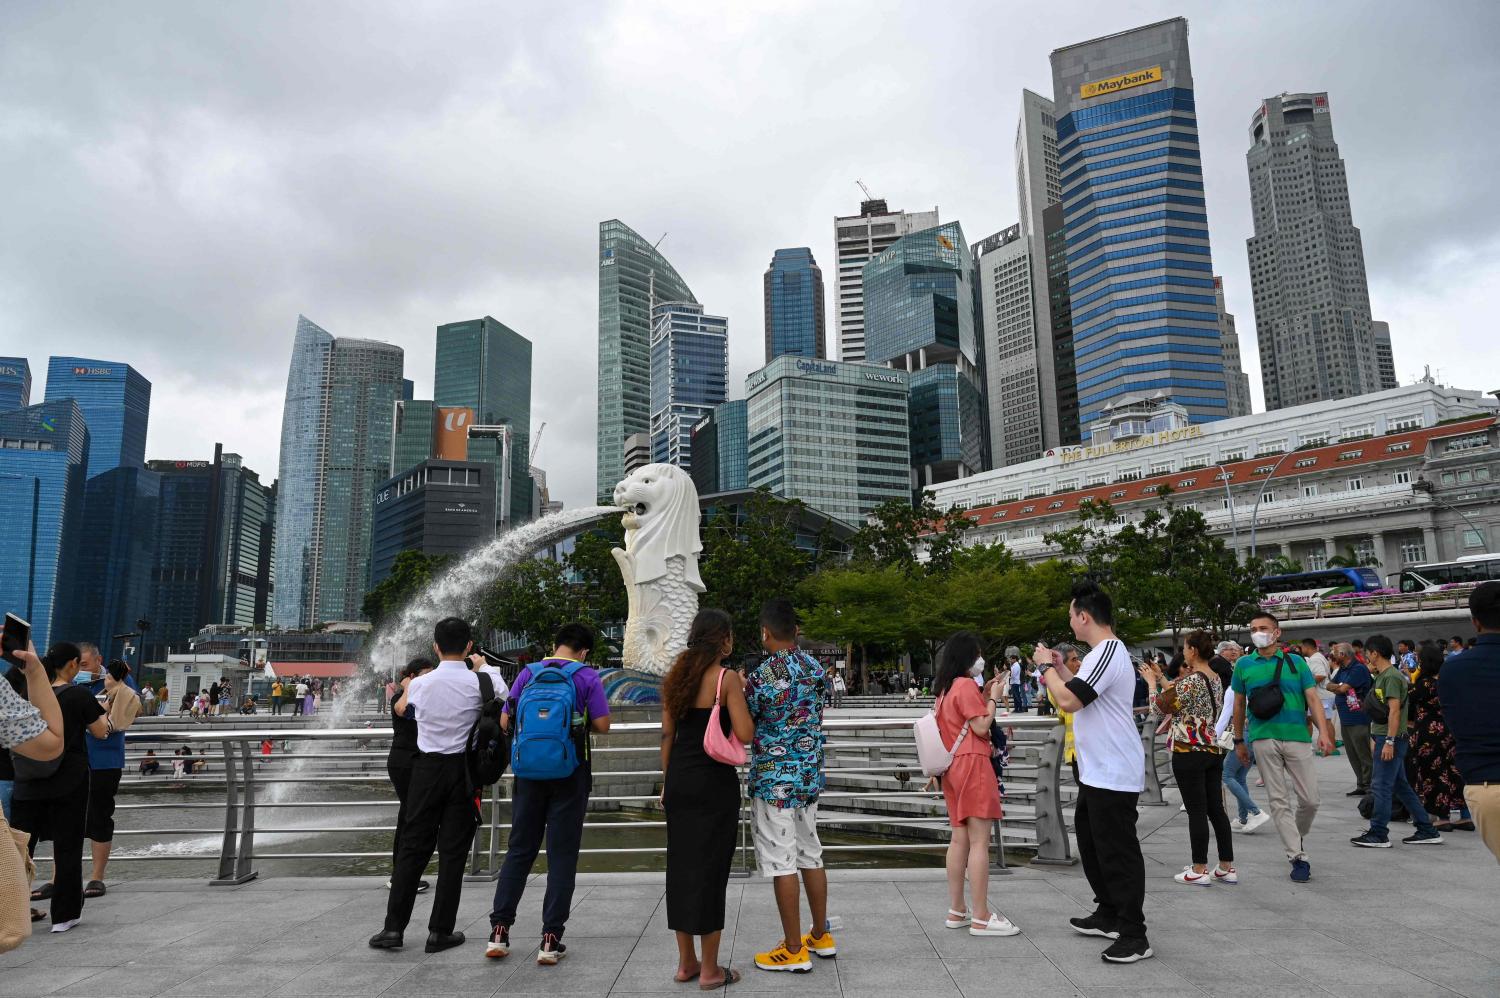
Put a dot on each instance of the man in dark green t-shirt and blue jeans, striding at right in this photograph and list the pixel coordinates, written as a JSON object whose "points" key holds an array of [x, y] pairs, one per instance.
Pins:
{"points": [[1388, 720]]}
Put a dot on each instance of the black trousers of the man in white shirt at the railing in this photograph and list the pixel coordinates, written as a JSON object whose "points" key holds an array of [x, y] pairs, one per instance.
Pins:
{"points": [[440, 816]]}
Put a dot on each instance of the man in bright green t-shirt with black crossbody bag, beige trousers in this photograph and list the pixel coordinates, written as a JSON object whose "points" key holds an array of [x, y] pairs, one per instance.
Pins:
{"points": [[1285, 741]]}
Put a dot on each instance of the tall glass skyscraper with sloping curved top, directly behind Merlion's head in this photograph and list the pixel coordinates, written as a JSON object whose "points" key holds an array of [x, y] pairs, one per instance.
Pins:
{"points": [[632, 280]]}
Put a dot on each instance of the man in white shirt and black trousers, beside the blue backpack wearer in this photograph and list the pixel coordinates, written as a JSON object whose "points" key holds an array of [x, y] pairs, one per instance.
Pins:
{"points": [[440, 811]]}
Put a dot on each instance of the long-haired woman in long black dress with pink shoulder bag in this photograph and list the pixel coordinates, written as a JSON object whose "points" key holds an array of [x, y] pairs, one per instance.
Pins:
{"points": [[701, 796]]}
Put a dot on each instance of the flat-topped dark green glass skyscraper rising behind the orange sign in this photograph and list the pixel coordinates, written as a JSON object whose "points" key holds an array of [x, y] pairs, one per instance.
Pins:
{"points": [[487, 367]]}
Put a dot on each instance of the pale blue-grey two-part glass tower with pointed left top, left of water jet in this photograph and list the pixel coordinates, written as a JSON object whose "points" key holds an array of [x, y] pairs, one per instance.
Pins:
{"points": [[335, 449]]}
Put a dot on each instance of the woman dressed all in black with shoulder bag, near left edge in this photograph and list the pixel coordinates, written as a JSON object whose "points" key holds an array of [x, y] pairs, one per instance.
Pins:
{"points": [[53, 807]]}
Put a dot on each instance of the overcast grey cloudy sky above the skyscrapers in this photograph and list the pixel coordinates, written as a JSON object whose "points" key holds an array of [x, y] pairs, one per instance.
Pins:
{"points": [[182, 179]]}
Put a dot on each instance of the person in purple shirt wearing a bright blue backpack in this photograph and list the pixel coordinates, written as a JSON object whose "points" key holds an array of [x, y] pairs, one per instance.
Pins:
{"points": [[551, 709]]}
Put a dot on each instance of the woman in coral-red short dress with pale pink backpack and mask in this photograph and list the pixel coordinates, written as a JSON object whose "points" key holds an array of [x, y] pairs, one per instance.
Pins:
{"points": [[970, 789]]}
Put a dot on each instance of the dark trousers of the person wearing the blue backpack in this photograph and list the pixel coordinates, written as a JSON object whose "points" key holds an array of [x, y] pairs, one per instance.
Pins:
{"points": [[553, 808]]}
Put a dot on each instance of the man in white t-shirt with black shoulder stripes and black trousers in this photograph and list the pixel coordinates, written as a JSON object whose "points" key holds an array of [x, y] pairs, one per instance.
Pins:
{"points": [[1112, 772]]}
